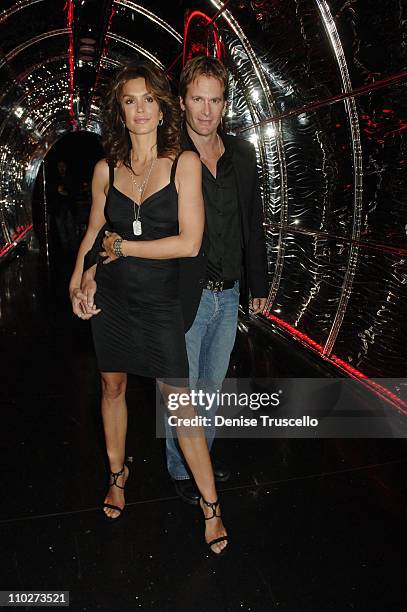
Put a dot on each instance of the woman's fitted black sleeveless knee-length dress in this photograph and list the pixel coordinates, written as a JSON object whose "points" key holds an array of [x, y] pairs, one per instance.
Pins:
{"points": [[141, 329]]}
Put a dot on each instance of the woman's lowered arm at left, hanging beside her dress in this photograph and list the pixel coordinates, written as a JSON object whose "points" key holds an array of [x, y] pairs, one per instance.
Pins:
{"points": [[97, 219]]}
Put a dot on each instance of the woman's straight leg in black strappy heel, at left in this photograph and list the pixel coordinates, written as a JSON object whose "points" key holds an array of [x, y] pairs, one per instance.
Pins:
{"points": [[114, 415]]}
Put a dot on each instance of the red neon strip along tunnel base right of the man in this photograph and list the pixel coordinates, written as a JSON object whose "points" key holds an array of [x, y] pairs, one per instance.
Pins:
{"points": [[384, 393]]}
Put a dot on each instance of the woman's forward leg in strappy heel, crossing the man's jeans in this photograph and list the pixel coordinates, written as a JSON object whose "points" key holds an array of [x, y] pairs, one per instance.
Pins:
{"points": [[192, 441]]}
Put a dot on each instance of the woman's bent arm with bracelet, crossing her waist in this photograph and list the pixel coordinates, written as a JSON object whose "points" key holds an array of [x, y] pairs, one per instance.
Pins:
{"points": [[191, 218]]}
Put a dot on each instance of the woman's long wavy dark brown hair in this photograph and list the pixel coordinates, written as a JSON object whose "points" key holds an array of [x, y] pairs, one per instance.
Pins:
{"points": [[115, 136]]}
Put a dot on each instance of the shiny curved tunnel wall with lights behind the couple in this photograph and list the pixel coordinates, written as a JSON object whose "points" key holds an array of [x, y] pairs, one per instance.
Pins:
{"points": [[332, 163]]}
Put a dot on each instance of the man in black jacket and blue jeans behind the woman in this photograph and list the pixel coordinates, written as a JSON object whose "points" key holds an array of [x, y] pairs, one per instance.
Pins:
{"points": [[232, 258]]}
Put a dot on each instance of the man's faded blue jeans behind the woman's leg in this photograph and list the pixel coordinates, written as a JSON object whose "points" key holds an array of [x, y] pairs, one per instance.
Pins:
{"points": [[209, 344]]}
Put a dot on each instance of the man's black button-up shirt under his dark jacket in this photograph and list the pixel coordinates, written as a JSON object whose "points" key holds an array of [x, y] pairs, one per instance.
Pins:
{"points": [[222, 217]]}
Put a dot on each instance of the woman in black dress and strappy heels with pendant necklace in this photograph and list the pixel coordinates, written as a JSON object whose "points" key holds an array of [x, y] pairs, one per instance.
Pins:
{"points": [[150, 194]]}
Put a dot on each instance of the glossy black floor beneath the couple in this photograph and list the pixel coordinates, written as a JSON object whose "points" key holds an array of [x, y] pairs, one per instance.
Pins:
{"points": [[315, 525]]}
